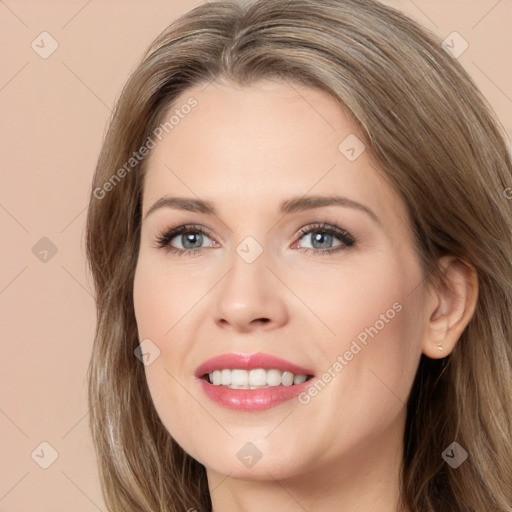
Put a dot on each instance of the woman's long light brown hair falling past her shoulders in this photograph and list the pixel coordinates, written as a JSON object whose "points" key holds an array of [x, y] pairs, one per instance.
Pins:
{"points": [[439, 145]]}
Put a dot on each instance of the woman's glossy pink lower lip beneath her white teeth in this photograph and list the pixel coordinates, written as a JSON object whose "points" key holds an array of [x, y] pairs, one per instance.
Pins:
{"points": [[252, 400]]}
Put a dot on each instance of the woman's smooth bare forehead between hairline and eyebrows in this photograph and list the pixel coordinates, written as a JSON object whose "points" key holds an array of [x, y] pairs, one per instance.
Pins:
{"points": [[260, 144]]}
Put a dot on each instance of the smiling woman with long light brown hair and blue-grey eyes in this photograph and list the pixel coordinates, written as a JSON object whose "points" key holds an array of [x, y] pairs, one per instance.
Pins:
{"points": [[338, 334]]}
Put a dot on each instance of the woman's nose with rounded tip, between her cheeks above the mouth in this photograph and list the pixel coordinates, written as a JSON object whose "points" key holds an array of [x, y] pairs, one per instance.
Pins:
{"points": [[250, 297]]}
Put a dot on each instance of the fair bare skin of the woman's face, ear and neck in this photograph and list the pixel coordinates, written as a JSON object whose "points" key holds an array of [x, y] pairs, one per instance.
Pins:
{"points": [[246, 149]]}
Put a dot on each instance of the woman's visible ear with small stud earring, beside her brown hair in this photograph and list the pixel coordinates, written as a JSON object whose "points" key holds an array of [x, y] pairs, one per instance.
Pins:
{"points": [[451, 305]]}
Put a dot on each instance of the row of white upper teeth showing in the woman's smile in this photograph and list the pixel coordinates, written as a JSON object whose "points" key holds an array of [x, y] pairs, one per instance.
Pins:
{"points": [[254, 379]]}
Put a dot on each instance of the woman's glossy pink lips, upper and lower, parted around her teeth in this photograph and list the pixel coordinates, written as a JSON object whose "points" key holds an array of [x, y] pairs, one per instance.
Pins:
{"points": [[250, 400]]}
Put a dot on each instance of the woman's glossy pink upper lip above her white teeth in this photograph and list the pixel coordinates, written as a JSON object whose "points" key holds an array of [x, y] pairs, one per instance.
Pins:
{"points": [[249, 362]]}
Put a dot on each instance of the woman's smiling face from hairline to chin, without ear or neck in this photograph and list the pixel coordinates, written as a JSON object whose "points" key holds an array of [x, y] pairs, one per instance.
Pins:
{"points": [[334, 289]]}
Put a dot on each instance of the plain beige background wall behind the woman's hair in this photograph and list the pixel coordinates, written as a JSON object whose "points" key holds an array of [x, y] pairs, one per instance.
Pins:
{"points": [[54, 113]]}
